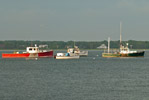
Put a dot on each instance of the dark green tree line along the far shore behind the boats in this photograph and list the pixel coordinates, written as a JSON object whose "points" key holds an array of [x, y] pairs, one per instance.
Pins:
{"points": [[20, 44]]}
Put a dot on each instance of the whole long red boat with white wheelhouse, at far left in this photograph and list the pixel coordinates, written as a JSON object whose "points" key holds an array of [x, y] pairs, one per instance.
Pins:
{"points": [[31, 52]]}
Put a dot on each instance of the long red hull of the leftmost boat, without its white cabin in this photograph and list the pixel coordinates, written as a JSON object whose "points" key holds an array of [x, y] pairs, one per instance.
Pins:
{"points": [[26, 55]]}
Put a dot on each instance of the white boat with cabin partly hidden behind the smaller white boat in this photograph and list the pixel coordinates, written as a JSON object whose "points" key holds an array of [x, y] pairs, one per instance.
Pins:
{"points": [[77, 51]]}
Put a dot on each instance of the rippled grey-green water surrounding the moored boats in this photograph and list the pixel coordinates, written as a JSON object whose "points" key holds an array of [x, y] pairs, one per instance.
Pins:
{"points": [[88, 78]]}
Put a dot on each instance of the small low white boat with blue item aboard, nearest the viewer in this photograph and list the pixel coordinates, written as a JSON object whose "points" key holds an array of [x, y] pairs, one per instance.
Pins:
{"points": [[66, 56]]}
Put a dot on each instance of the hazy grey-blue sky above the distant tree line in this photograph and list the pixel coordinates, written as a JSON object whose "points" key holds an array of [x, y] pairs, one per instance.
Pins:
{"points": [[76, 20]]}
